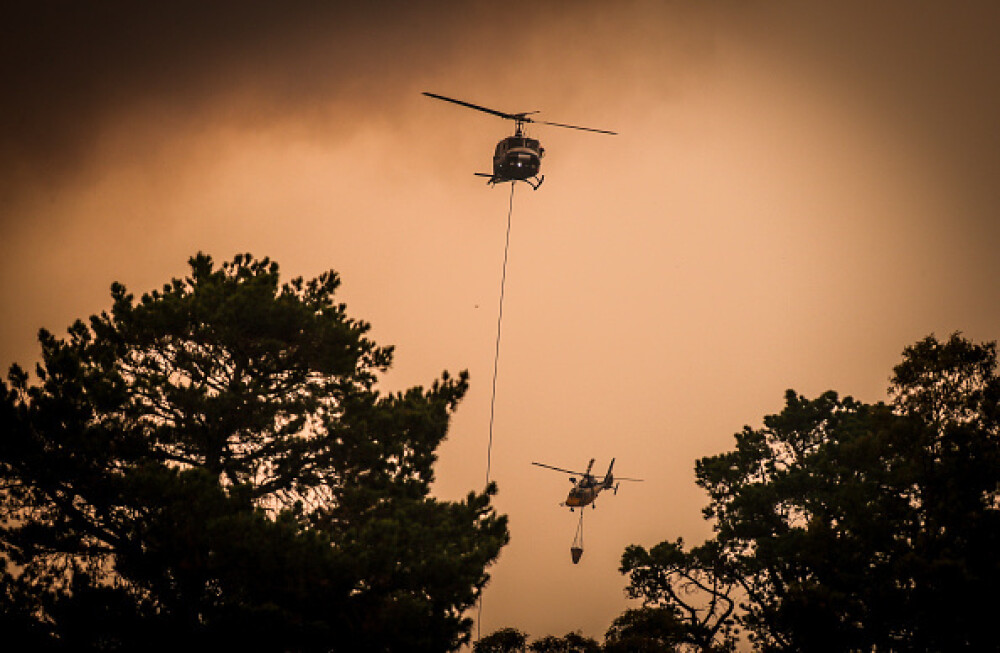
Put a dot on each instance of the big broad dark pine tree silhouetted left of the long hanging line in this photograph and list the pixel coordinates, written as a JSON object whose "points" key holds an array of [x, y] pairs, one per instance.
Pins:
{"points": [[213, 465]]}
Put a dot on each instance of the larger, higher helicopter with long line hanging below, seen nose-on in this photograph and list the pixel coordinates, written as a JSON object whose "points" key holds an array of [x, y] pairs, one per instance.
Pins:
{"points": [[517, 157]]}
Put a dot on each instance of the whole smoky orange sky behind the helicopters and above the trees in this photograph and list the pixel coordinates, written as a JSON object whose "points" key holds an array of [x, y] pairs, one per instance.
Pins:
{"points": [[795, 195]]}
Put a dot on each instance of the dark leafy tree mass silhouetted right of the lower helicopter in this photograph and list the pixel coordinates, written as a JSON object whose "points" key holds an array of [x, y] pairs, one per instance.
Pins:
{"points": [[846, 526]]}
